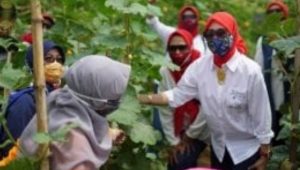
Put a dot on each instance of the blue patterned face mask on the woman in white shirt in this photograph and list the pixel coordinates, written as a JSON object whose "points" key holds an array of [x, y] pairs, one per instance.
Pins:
{"points": [[220, 45]]}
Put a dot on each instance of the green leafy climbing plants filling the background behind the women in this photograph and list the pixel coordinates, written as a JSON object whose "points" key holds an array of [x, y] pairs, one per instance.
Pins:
{"points": [[117, 28]]}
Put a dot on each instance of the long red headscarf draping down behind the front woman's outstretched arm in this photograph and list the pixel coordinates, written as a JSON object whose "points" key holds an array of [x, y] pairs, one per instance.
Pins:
{"points": [[192, 107]]}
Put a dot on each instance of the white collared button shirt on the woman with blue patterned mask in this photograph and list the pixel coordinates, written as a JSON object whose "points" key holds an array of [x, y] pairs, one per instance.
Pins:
{"points": [[237, 112]]}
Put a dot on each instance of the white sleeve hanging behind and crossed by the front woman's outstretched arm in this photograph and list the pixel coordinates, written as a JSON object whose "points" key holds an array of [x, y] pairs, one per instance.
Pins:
{"points": [[165, 113]]}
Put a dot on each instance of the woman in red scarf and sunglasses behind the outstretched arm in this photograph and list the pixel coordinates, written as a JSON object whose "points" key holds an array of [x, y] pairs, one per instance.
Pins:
{"points": [[175, 122]]}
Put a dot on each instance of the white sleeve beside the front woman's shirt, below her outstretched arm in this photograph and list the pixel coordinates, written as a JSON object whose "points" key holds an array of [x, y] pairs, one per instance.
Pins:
{"points": [[199, 129]]}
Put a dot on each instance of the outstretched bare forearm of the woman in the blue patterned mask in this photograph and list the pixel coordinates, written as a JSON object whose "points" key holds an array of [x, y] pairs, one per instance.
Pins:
{"points": [[154, 99]]}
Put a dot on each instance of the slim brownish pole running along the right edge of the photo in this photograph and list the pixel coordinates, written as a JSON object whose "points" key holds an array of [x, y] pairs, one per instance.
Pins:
{"points": [[295, 100]]}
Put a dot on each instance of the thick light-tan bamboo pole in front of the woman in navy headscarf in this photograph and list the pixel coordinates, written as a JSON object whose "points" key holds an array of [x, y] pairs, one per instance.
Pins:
{"points": [[39, 79]]}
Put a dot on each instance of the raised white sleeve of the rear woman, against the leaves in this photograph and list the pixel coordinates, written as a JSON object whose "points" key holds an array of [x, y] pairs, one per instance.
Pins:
{"points": [[161, 29]]}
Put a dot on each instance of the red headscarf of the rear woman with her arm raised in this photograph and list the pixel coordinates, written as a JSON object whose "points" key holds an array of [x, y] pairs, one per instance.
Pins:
{"points": [[194, 30]]}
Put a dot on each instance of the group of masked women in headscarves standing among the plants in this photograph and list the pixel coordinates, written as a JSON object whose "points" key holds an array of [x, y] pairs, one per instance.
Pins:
{"points": [[219, 98]]}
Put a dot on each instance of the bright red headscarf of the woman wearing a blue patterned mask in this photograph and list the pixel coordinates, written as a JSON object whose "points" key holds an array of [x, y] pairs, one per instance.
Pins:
{"points": [[229, 23]]}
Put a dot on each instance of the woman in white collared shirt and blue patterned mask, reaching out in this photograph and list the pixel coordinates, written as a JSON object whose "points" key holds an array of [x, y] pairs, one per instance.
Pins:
{"points": [[233, 98]]}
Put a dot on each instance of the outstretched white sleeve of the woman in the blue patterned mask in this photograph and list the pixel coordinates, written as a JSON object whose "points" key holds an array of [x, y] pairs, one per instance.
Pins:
{"points": [[186, 89]]}
